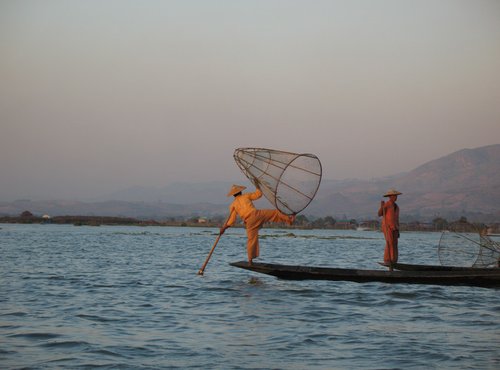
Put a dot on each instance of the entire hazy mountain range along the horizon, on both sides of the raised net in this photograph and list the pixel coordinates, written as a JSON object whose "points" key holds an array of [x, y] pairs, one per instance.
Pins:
{"points": [[464, 183]]}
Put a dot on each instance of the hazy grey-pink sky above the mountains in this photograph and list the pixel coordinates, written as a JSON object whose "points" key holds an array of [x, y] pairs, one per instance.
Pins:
{"points": [[97, 96]]}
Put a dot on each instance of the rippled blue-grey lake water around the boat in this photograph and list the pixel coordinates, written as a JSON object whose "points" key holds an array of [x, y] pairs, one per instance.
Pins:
{"points": [[130, 298]]}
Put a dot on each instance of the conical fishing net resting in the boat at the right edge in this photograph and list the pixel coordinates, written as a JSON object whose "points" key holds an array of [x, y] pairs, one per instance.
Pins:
{"points": [[465, 246]]}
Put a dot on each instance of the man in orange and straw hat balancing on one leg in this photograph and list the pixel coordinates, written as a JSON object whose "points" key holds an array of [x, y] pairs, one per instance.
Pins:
{"points": [[242, 206]]}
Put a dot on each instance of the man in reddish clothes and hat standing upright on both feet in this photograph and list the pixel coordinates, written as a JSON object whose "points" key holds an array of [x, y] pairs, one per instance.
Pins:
{"points": [[389, 211]]}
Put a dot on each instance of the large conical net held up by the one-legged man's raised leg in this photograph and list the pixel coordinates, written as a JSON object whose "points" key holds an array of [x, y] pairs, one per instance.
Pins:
{"points": [[288, 180]]}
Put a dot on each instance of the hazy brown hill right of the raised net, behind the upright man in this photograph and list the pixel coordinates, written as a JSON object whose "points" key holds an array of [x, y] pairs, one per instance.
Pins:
{"points": [[464, 183]]}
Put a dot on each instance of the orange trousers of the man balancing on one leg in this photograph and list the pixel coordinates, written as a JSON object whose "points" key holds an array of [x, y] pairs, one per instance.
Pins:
{"points": [[254, 222]]}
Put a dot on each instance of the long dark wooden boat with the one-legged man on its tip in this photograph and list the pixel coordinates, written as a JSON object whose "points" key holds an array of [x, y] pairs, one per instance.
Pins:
{"points": [[488, 278]]}
